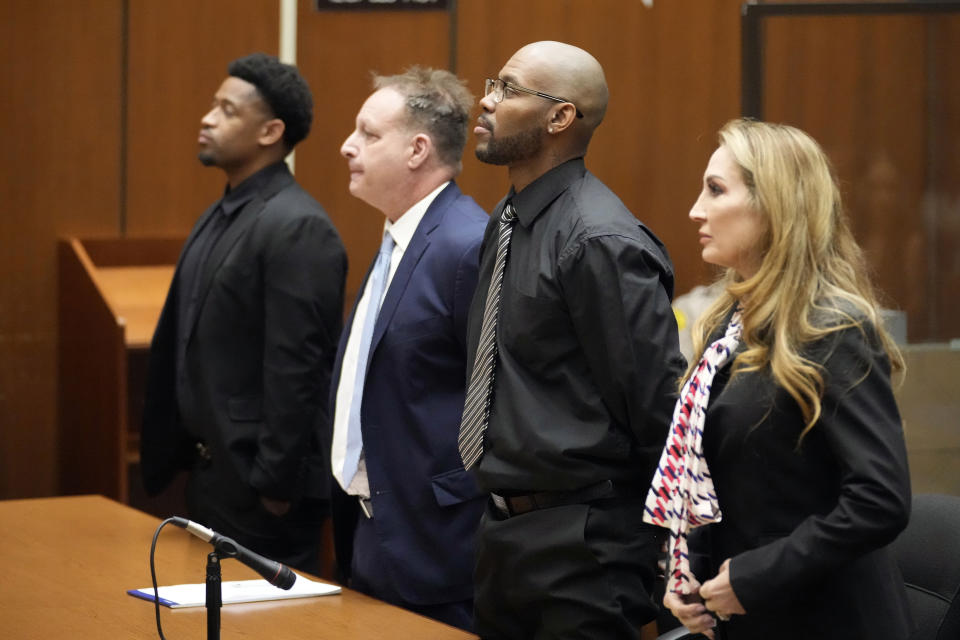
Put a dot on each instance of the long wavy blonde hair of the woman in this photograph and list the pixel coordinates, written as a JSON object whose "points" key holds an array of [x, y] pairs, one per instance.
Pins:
{"points": [[812, 280]]}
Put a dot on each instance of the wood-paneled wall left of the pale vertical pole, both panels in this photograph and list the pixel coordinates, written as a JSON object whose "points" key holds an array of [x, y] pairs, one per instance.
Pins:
{"points": [[73, 73]]}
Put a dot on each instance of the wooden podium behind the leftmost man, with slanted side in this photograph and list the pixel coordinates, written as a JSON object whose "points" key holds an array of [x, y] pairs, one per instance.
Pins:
{"points": [[110, 294]]}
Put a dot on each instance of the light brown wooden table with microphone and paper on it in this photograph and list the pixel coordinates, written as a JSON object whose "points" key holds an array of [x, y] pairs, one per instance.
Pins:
{"points": [[68, 562]]}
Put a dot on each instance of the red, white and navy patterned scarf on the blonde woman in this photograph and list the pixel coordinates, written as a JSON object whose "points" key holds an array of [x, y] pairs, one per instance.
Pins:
{"points": [[682, 494]]}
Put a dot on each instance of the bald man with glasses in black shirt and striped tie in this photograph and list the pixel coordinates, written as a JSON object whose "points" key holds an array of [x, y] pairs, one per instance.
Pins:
{"points": [[584, 368]]}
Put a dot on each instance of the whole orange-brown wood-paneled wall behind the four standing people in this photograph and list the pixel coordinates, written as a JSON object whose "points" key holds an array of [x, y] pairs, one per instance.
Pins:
{"points": [[102, 102]]}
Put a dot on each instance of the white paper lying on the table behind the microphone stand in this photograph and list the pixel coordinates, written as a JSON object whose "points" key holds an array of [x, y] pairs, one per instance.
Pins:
{"points": [[195, 595]]}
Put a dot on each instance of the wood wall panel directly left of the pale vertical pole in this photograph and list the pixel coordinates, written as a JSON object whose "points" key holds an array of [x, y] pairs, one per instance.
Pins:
{"points": [[178, 55]]}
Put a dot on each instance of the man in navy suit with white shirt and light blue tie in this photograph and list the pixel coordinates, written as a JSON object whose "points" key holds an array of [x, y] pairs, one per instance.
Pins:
{"points": [[405, 510]]}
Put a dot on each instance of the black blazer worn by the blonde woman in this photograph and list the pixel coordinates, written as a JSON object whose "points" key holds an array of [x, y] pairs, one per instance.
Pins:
{"points": [[807, 527]]}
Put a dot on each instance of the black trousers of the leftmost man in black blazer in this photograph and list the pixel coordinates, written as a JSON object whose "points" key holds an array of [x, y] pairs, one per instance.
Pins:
{"points": [[235, 511]]}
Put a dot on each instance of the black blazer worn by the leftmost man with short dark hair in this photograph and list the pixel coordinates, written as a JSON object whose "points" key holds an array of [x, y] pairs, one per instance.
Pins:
{"points": [[259, 354]]}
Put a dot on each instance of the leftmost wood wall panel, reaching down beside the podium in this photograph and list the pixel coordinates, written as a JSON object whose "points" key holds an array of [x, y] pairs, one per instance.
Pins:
{"points": [[59, 171]]}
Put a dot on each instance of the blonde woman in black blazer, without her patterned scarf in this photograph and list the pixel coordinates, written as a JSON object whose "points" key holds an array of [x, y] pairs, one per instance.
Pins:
{"points": [[802, 434]]}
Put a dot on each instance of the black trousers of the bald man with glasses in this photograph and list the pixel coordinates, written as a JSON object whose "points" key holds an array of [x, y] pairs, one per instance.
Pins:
{"points": [[577, 571]]}
